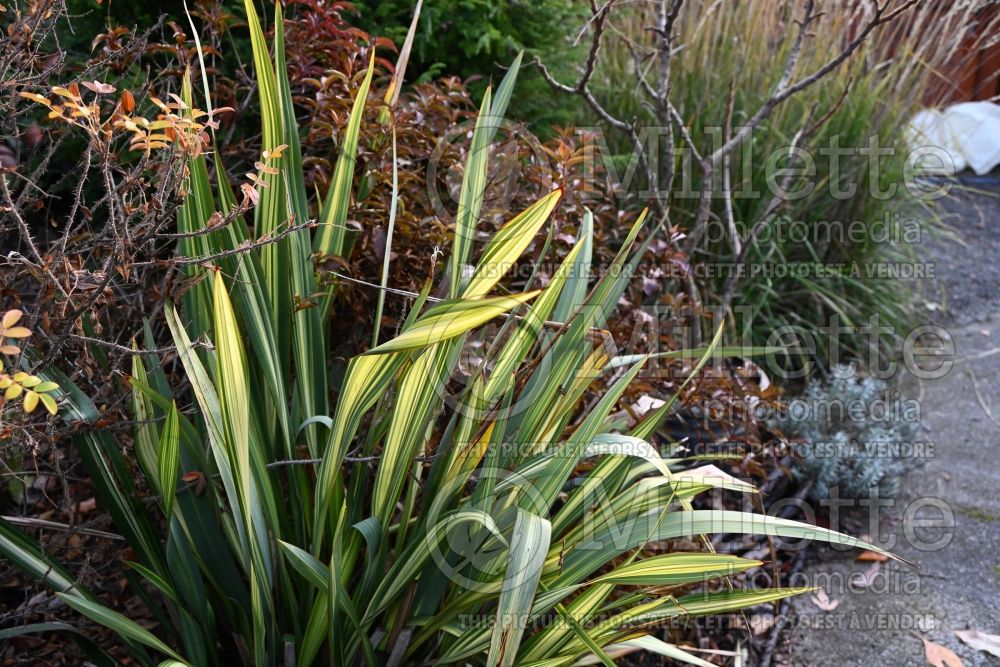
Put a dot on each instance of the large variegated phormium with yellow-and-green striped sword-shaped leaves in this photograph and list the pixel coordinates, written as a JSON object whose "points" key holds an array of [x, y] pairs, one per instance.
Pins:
{"points": [[407, 522]]}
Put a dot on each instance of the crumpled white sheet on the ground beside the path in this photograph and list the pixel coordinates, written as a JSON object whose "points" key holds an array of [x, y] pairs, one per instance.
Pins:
{"points": [[965, 135]]}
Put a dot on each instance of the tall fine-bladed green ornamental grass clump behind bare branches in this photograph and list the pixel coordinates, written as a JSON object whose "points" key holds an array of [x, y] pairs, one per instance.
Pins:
{"points": [[775, 135]]}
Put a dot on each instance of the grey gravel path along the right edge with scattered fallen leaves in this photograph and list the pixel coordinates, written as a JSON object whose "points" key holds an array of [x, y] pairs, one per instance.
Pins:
{"points": [[955, 586]]}
